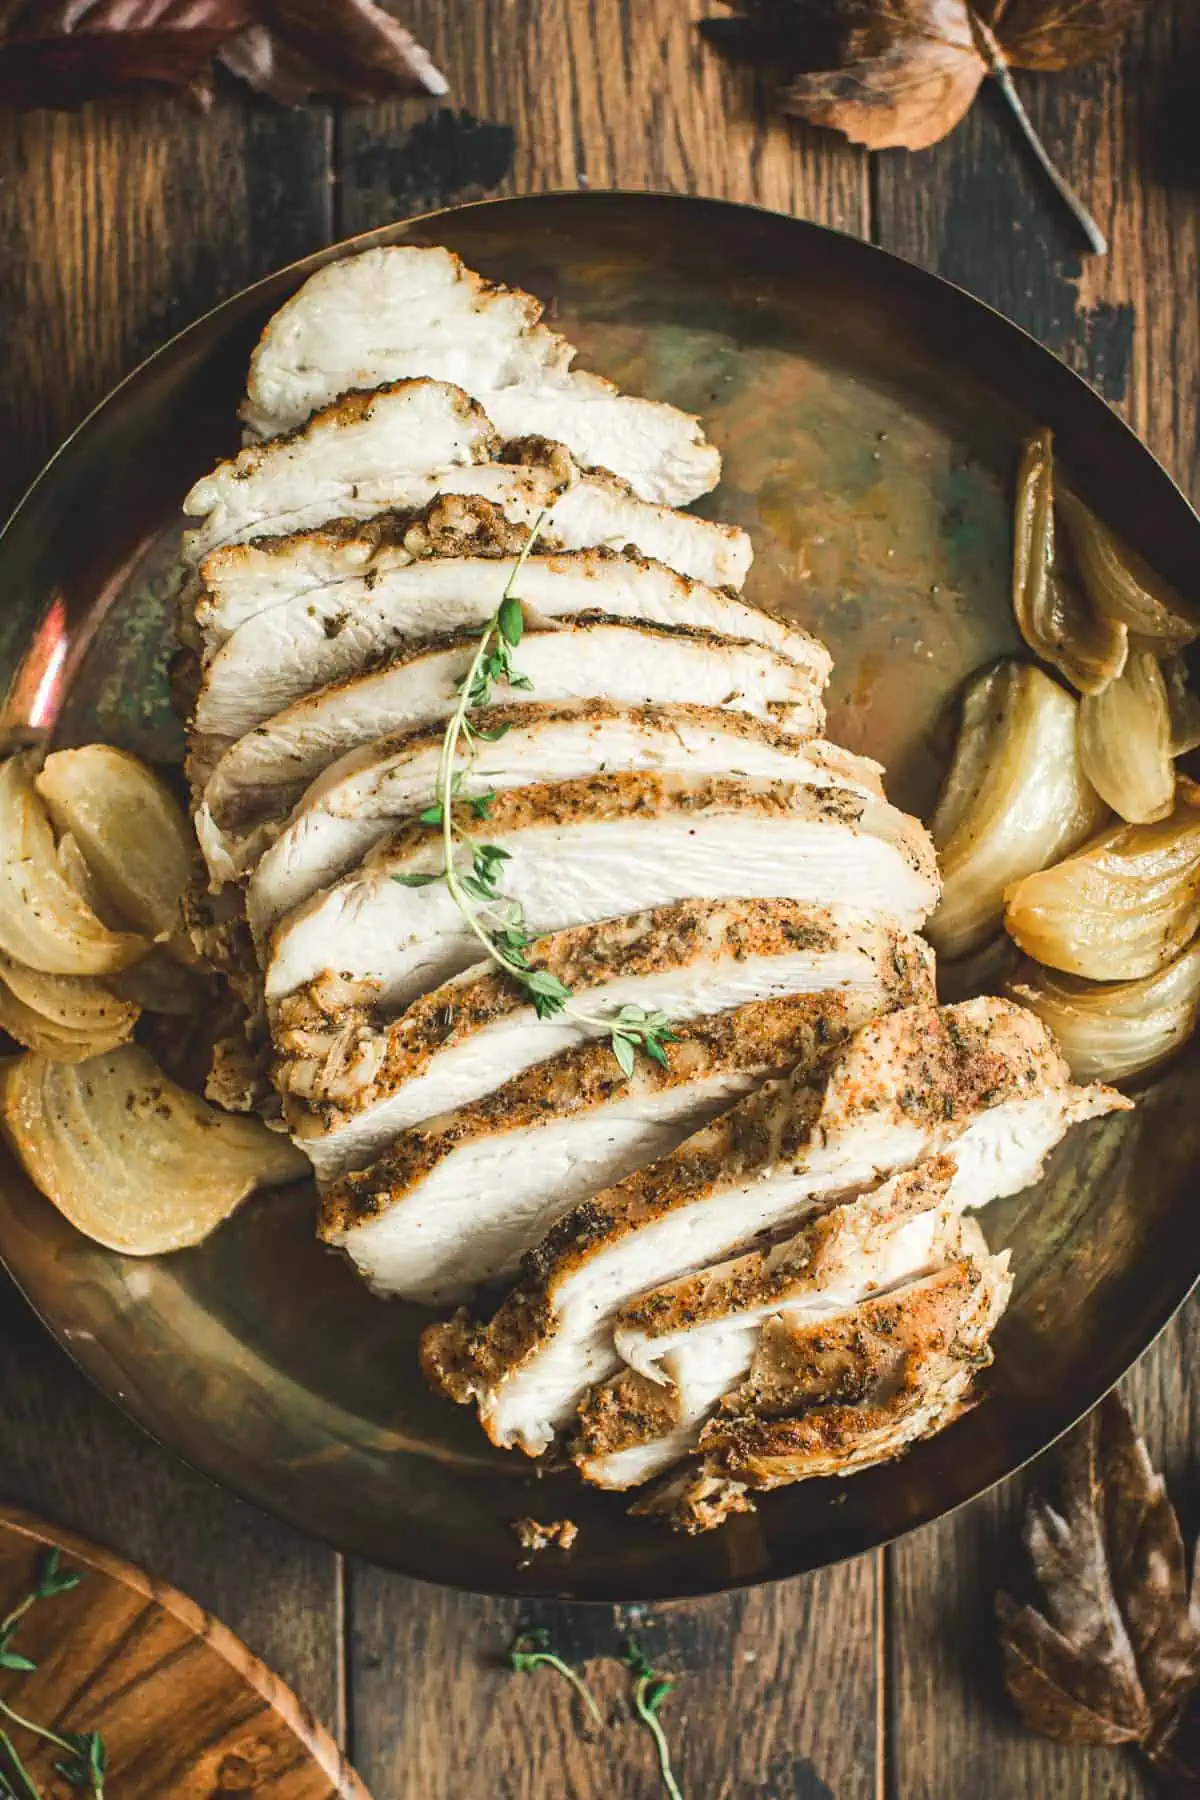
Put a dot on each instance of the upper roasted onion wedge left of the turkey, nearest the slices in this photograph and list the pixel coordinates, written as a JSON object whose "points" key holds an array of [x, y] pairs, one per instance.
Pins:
{"points": [[130, 829]]}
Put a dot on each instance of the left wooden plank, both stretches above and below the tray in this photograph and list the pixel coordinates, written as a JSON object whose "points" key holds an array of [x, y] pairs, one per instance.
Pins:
{"points": [[118, 226]]}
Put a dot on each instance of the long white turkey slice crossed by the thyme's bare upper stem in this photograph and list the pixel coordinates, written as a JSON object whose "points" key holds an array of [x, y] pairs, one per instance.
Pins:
{"points": [[325, 636]]}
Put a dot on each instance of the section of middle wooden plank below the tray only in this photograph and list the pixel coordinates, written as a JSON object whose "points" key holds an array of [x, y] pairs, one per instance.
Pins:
{"points": [[776, 1695]]}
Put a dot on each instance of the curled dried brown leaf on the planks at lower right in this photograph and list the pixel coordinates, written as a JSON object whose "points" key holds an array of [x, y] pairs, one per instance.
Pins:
{"points": [[1115, 1657]]}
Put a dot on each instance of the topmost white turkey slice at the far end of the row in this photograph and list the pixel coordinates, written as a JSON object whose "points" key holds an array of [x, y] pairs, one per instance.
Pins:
{"points": [[406, 312]]}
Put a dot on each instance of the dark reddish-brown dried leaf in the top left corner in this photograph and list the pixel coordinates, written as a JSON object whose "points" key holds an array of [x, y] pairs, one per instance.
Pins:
{"points": [[62, 53]]}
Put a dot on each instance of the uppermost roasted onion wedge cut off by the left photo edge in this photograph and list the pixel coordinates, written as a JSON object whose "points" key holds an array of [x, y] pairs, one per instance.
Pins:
{"points": [[44, 921]]}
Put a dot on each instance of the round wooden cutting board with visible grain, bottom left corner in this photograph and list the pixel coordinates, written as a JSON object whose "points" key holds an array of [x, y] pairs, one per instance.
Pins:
{"points": [[184, 1709]]}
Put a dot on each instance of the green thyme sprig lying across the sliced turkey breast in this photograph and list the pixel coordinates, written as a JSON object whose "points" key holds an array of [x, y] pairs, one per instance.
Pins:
{"points": [[497, 922]]}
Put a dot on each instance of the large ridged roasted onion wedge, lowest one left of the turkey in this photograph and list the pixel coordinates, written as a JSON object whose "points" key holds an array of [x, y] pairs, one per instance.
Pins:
{"points": [[132, 1160]]}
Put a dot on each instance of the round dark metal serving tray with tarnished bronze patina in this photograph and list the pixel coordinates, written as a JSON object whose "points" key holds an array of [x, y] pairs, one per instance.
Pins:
{"points": [[870, 417]]}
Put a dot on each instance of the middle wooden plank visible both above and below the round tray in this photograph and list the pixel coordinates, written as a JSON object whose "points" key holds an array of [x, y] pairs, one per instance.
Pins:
{"points": [[607, 94]]}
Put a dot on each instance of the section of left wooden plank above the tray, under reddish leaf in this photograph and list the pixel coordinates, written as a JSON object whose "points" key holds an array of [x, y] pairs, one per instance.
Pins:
{"points": [[125, 222]]}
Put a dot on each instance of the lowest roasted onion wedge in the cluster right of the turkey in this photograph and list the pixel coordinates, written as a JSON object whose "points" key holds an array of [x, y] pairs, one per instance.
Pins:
{"points": [[1113, 1030]]}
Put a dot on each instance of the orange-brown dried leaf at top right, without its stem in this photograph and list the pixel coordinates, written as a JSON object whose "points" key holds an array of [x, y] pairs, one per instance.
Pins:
{"points": [[904, 73]]}
